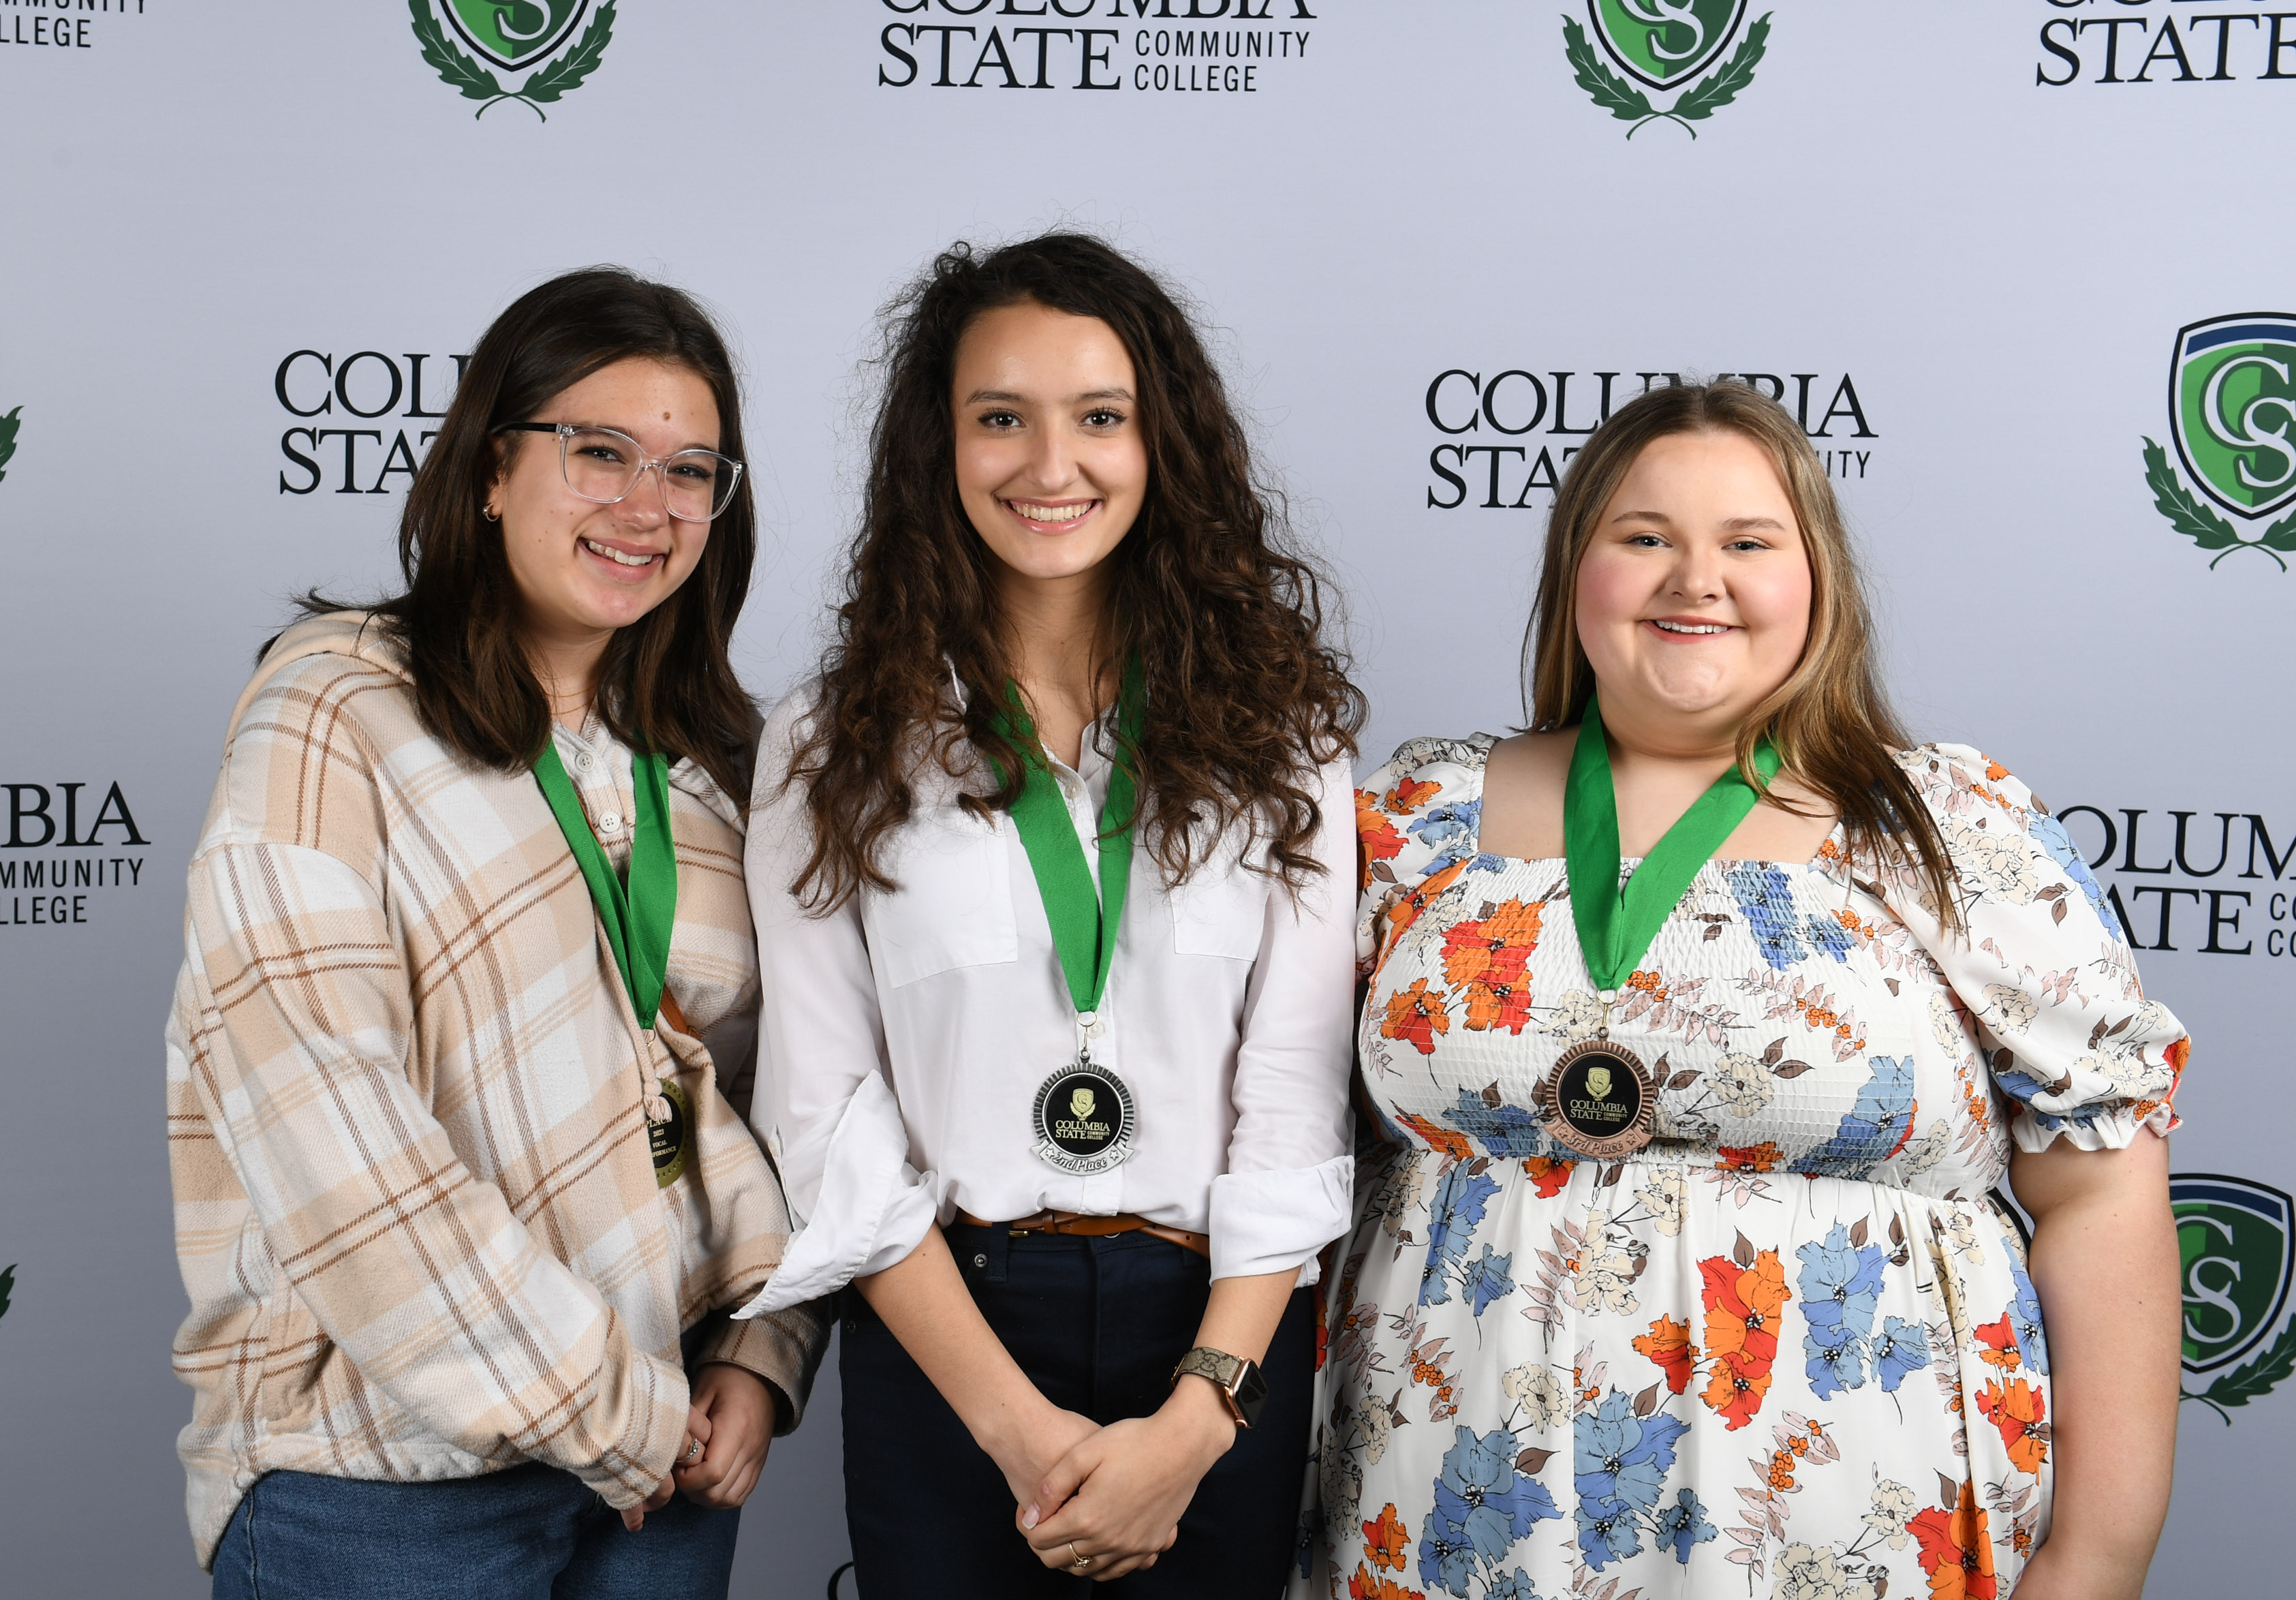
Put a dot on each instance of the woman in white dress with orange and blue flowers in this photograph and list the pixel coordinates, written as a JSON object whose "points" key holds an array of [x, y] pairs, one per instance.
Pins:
{"points": [[1792, 1344]]}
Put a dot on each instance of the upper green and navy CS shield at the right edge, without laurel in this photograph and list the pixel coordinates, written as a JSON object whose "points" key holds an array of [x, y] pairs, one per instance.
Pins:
{"points": [[2233, 410]]}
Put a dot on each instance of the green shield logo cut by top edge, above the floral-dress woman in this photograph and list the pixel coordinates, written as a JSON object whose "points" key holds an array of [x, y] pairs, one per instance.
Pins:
{"points": [[1663, 45]]}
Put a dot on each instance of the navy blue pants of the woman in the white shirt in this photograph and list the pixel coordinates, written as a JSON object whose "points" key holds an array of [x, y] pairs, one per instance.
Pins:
{"points": [[1099, 1326]]}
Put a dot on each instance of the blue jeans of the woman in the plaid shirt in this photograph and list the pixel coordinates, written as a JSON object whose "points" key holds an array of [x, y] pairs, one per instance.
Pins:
{"points": [[520, 1535]]}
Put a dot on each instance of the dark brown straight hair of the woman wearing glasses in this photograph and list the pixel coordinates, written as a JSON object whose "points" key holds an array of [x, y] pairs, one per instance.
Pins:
{"points": [[667, 683]]}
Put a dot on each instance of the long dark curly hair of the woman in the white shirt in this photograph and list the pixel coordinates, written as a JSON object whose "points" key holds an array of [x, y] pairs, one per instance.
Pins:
{"points": [[1211, 596]]}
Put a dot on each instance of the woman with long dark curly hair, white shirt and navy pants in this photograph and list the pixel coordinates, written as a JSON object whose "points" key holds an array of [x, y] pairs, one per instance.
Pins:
{"points": [[1069, 1117]]}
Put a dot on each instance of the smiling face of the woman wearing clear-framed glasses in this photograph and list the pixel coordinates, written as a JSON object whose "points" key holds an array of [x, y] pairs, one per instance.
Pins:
{"points": [[587, 570]]}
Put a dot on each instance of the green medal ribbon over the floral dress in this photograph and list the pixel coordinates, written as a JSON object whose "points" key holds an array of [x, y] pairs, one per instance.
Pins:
{"points": [[1618, 926]]}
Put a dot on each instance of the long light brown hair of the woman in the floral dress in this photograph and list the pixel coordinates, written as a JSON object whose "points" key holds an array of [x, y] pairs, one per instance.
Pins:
{"points": [[1831, 722]]}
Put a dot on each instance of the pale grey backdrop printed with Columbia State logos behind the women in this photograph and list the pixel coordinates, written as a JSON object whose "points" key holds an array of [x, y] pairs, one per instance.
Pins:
{"points": [[2019, 265]]}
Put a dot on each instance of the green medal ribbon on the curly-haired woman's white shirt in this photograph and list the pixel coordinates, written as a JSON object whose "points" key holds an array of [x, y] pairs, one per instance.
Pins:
{"points": [[1083, 922]]}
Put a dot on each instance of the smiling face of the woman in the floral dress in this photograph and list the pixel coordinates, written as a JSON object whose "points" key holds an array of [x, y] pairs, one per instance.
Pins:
{"points": [[1693, 593]]}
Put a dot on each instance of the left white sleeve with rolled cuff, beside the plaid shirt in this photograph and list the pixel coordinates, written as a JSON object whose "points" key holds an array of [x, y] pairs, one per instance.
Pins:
{"points": [[823, 1105]]}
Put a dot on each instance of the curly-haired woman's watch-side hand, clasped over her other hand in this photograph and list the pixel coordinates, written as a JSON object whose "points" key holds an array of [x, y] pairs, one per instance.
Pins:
{"points": [[1119, 1496]]}
